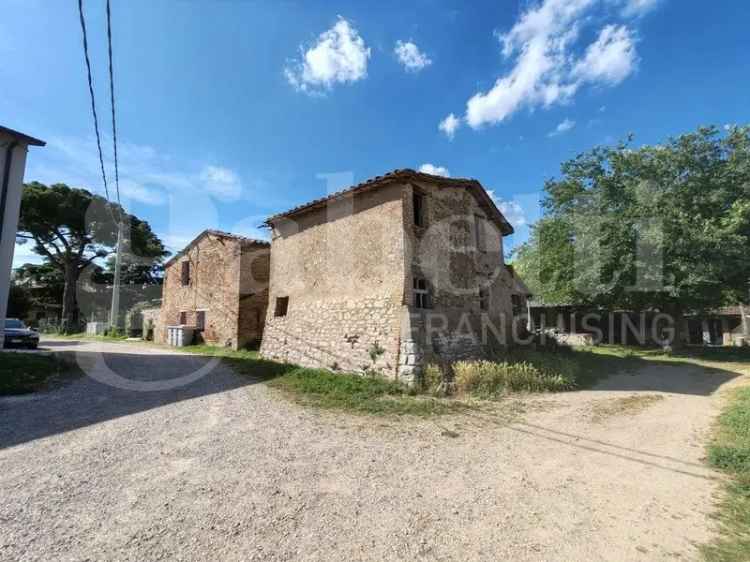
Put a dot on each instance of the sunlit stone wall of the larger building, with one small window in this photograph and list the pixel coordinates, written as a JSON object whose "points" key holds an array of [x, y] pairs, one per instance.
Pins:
{"points": [[341, 269]]}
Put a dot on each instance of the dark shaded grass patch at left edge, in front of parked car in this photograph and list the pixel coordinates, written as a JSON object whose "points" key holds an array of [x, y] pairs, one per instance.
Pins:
{"points": [[24, 373]]}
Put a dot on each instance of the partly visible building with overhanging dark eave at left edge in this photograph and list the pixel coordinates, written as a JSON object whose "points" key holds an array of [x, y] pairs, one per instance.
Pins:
{"points": [[13, 148]]}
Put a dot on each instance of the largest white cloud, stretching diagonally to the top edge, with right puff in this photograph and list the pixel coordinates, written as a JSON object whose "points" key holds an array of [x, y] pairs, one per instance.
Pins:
{"points": [[547, 67]]}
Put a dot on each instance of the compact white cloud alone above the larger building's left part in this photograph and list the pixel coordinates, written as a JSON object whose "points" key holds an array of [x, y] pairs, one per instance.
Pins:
{"points": [[339, 56]]}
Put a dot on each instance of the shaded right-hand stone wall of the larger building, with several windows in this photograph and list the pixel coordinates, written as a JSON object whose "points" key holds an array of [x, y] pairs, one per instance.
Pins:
{"points": [[459, 251]]}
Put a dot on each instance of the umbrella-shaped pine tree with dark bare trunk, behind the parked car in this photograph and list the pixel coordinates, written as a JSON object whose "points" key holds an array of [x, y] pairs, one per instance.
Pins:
{"points": [[73, 229]]}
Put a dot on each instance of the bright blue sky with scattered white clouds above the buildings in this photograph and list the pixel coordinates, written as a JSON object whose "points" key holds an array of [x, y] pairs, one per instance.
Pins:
{"points": [[229, 111]]}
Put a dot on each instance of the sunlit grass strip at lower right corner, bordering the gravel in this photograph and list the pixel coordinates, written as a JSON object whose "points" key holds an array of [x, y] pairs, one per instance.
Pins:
{"points": [[730, 452]]}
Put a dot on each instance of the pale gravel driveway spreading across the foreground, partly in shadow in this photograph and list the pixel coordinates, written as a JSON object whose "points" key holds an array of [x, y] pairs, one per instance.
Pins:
{"points": [[224, 469]]}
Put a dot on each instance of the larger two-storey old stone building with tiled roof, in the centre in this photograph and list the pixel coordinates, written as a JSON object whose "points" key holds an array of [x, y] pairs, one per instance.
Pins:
{"points": [[388, 274]]}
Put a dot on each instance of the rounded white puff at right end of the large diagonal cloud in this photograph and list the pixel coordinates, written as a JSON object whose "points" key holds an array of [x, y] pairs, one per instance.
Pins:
{"points": [[610, 59]]}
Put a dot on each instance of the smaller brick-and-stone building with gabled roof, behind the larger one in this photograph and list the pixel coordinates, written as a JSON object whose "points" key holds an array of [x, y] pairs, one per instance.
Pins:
{"points": [[217, 284]]}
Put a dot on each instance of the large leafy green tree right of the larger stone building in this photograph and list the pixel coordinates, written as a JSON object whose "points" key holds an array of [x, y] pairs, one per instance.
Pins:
{"points": [[662, 227]]}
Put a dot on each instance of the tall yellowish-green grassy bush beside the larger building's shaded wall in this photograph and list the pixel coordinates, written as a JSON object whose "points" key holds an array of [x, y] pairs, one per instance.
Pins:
{"points": [[490, 379]]}
